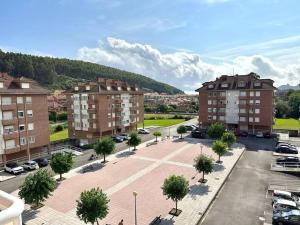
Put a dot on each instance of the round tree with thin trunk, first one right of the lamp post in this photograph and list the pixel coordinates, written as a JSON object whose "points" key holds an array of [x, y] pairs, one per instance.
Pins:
{"points": [[175, 188]]}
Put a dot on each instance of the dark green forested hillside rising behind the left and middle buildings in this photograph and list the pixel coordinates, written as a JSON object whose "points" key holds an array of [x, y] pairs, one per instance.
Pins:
{"points": [[56, 73]]}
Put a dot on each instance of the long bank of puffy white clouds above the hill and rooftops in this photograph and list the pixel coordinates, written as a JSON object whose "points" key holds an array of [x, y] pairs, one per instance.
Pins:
{"points": [[182, 69]]}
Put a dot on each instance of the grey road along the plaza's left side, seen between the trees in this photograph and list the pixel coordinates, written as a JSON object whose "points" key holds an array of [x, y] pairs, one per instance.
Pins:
{"points": [[14, 183]]}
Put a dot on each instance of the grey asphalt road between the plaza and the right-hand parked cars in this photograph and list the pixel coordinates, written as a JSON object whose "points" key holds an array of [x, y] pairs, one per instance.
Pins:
{"points": [[242, 199]]}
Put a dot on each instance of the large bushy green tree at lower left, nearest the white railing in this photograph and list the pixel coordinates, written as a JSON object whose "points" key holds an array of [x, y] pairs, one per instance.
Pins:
{"points": [[37, 187]]}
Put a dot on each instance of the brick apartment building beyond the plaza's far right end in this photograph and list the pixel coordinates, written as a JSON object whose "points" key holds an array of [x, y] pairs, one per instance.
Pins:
{"points": [[240, 102]]}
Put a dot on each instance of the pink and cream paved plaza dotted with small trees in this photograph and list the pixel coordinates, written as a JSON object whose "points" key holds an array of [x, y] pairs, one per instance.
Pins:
{"points": [[143, 171]]}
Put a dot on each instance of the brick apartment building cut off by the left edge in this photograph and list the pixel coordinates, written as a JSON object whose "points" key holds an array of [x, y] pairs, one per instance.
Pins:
{"points": [[23, 118]]}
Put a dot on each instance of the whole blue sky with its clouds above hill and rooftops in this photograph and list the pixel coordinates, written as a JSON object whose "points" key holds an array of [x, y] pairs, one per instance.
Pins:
{"points": [[180, 42]]}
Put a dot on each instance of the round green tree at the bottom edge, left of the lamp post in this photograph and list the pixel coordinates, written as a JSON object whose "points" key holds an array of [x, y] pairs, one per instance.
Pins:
{"points": [[92, 205]]}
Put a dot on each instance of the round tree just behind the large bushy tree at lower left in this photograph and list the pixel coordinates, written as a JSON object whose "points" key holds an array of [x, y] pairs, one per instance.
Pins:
{"points": [[61, 163]]}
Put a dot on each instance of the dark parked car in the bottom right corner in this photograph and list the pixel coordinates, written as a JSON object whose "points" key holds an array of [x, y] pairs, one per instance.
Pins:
{"points": [[286, 218]]}
